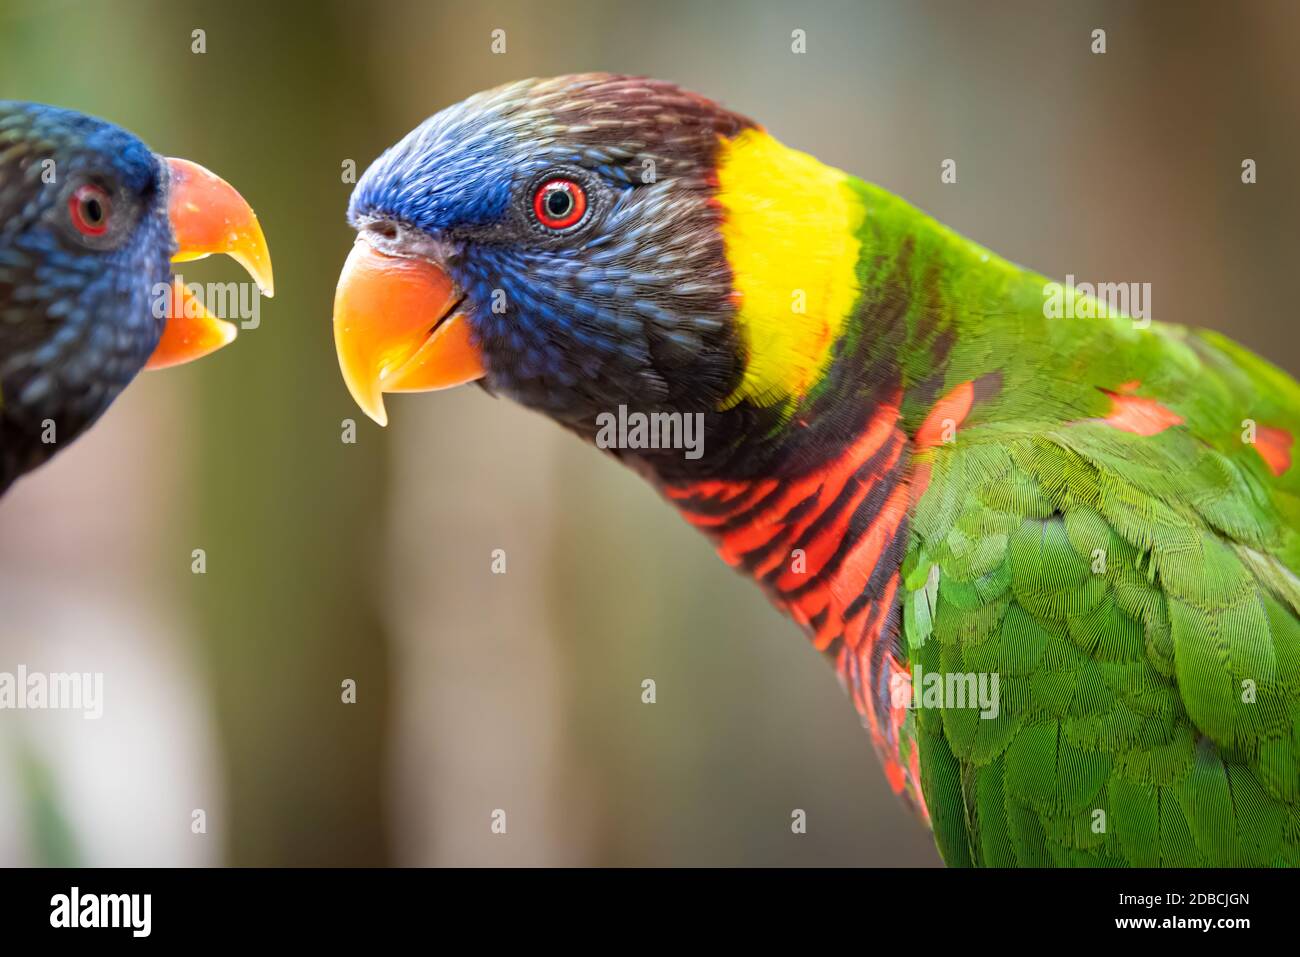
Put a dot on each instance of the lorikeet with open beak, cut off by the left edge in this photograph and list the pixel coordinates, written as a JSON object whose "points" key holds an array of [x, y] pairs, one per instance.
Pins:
{"points": [[90, 220]]}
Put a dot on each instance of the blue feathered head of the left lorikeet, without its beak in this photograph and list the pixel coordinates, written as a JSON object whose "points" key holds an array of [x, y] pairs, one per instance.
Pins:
{"points": [[84, 243]]}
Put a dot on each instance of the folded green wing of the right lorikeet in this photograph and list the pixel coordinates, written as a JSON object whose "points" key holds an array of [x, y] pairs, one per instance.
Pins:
{"points": [[1149, 662]]}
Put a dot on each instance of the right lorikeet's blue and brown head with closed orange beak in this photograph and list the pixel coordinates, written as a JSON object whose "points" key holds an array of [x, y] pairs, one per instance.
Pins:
{"points": [[560, 240]]}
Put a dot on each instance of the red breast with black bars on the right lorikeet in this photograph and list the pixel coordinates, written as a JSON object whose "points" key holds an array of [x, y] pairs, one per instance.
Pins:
{"points": [[826, 542]]}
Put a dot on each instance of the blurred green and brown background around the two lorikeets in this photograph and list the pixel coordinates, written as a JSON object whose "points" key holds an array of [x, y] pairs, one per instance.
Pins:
{"points": [[372, 561]]}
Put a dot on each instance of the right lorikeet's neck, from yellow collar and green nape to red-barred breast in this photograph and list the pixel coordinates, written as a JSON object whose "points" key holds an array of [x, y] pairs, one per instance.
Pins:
{"points": [[817, 462]]}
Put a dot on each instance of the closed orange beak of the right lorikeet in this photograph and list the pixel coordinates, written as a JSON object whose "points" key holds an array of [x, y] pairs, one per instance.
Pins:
{"points": [[397, 330]]}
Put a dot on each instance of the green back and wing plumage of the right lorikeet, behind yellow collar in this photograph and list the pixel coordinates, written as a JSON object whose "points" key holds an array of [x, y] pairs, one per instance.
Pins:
{"points": [[1136, 594]]}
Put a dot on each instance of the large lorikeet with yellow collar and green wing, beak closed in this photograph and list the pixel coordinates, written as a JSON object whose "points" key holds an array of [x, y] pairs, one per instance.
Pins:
{"points": [[1052, 560]]}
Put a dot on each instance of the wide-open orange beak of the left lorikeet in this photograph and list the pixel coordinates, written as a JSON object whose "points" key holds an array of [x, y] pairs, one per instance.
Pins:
{"points": [[207, 216]]}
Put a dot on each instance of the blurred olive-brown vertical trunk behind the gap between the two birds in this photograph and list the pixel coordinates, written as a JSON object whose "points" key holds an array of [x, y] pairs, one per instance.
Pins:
{"points": [[287, 512]]}
